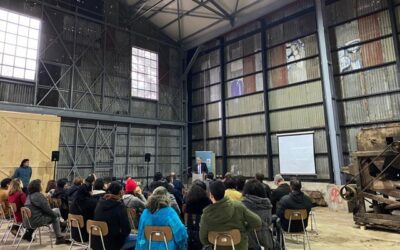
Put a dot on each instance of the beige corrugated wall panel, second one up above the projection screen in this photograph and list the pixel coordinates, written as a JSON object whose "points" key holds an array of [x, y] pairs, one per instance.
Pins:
{"points": [[295, 95]]}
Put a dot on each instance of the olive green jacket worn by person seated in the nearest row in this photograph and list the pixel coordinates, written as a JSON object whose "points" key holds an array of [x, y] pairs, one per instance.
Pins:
{"points": [[226, 215]]}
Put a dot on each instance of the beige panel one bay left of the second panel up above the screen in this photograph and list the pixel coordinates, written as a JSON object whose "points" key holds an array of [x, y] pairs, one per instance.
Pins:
{"points": [[243, 105]]}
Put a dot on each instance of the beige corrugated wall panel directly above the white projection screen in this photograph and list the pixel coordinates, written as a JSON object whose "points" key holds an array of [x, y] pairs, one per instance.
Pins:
{"points": [[302, 118]]}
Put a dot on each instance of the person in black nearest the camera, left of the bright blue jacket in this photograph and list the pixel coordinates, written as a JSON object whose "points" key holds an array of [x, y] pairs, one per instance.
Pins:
{"points": [[111, 210]]}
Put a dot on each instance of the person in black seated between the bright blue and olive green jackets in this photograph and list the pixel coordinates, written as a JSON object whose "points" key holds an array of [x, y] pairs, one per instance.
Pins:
{"points": [[196, 200]]}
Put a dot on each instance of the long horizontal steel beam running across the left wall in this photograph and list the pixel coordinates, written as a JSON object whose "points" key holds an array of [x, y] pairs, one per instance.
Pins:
{"points": [[68, 113]]}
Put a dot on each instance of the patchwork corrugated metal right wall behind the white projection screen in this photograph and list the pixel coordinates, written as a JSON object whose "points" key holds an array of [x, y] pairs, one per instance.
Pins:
{"points": [[365, 78]]}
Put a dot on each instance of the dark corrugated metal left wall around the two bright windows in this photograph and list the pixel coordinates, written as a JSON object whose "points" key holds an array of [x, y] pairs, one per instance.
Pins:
{"points": [[84, 66]]}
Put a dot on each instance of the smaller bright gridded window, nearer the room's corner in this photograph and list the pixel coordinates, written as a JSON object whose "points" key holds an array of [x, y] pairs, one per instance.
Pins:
{"points": [[144, 74]]}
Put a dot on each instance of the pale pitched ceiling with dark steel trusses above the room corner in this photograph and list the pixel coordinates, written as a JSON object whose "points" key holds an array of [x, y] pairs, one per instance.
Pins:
{"points": [[192, 22]]}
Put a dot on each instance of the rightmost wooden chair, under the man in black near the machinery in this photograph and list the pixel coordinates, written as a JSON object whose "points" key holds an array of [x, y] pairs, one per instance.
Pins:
{"points": [[297, 215]]}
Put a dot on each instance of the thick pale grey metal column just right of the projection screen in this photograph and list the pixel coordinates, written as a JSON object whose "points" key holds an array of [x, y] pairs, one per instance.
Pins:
{"points": [[330, 103]]}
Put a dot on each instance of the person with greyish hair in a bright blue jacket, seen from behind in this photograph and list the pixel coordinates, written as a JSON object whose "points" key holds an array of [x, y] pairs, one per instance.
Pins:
{"points": [[159, 213]]}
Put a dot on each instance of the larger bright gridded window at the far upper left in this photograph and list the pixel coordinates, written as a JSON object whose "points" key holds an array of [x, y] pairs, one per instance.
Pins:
{"points": [[19, 40]]}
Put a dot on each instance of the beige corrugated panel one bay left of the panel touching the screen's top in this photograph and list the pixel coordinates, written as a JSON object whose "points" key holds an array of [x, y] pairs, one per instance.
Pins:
{"points": [[245, 125]]}
